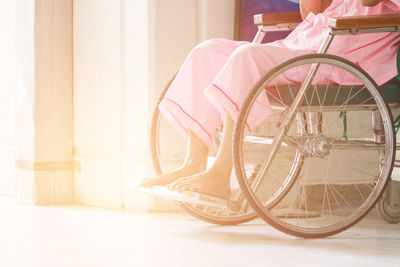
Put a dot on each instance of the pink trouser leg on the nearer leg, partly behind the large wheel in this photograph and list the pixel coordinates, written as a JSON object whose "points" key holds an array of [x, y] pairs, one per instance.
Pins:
{"points": [[241, 72]]}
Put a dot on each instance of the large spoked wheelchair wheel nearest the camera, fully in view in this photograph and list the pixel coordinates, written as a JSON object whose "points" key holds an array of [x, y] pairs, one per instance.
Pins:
{"points": [[321, 178]]}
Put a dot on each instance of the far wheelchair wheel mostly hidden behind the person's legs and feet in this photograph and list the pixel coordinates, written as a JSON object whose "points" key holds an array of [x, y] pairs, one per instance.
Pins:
{"points": [[168, 152]]}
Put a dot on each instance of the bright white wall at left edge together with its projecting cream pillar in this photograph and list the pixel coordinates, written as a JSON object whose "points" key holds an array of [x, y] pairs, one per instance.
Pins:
{"points": [[36, 100]]}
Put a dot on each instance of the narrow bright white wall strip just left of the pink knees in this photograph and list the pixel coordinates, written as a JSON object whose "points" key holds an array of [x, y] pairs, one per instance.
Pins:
{"points": [[138, 61]]}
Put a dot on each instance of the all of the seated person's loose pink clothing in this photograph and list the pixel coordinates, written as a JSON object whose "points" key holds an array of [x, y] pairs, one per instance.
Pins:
{"points": [[217, 74]]}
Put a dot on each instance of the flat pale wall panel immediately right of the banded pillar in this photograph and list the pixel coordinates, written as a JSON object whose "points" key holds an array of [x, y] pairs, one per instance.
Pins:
{"points": [[97, 99]]}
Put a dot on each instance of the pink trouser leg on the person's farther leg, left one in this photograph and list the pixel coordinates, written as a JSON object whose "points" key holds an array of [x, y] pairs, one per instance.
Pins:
{"points": [[185, 105]]}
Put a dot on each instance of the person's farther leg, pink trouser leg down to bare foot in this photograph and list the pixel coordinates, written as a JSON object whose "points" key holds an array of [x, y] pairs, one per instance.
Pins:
{"points": [[188, 109]]}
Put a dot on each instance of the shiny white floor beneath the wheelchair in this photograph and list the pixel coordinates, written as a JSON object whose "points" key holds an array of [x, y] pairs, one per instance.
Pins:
{"points": [[83, 236]]}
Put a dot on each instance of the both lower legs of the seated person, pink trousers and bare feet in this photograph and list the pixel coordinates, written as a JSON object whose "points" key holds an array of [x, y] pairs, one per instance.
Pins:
{"points": [[189, 110]]}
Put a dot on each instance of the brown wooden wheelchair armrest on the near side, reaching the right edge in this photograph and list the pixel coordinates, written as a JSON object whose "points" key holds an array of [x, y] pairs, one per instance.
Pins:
{"points": [[365, 22]]}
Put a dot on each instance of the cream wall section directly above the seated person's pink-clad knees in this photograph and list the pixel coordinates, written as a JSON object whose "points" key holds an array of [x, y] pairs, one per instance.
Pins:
{"points": [[181, 24]]}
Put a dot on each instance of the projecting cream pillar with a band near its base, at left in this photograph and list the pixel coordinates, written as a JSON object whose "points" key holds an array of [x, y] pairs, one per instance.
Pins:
{"points": [[43, 110]]}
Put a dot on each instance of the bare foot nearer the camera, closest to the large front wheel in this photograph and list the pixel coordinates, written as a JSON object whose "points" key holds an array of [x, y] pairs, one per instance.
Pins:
{"points": [[211, 182]]}
